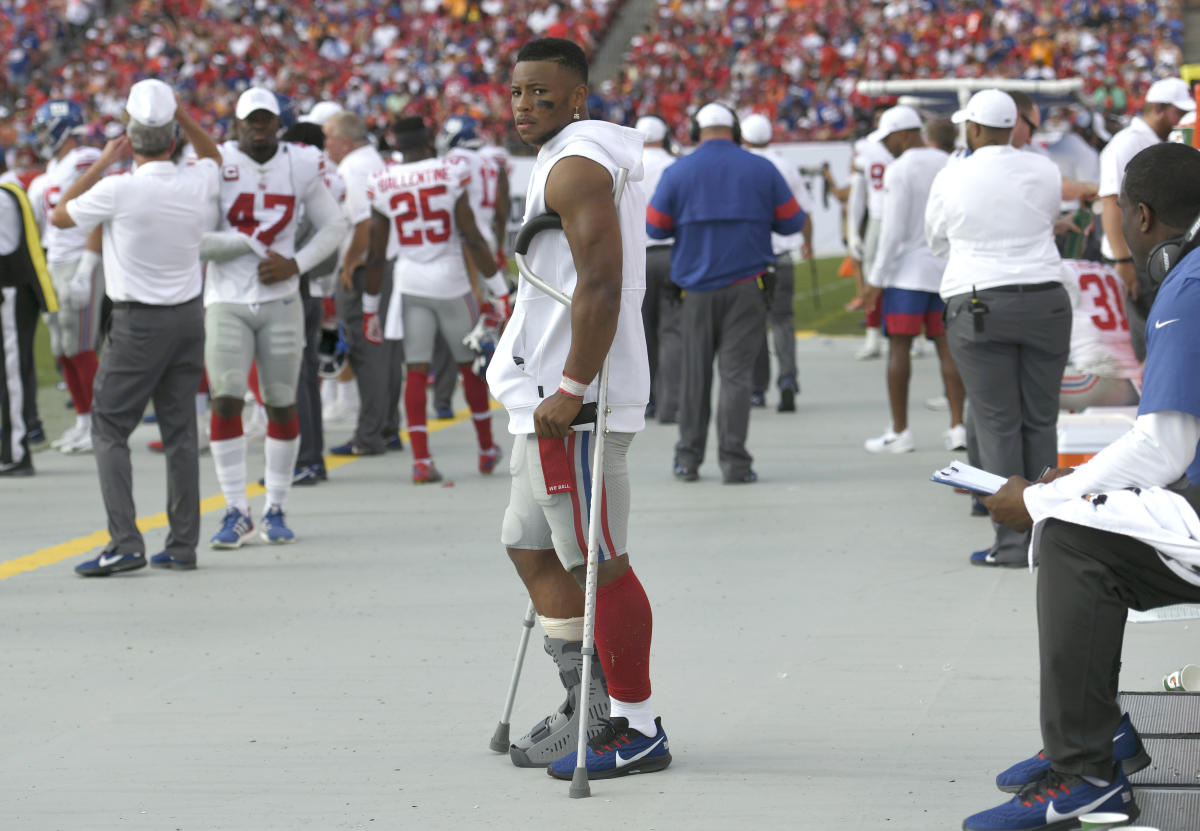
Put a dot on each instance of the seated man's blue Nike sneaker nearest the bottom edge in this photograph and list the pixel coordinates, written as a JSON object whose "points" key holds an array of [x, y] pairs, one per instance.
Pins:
{"points": [[1057, 802]]}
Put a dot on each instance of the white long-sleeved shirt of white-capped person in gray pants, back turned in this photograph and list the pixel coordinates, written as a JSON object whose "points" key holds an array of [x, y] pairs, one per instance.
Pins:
{"points": [[993, 216]]}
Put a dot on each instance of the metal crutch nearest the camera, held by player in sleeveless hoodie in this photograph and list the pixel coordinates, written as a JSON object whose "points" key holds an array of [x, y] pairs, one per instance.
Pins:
{"points": [[580, 787]]}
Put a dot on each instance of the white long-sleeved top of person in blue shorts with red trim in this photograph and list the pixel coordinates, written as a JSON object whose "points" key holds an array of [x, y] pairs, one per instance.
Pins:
{"points": [[903, 259]]}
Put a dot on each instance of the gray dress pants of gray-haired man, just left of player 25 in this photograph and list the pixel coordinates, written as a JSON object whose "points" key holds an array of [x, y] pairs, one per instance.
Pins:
{"points": [[379, 368]]}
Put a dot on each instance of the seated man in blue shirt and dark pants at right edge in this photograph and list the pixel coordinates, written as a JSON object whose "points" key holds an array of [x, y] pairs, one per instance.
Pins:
{"points": [[1126, 546]]}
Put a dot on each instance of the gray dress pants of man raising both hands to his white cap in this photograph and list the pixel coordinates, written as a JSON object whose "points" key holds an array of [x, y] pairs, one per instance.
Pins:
{"points": [[151, 354]]}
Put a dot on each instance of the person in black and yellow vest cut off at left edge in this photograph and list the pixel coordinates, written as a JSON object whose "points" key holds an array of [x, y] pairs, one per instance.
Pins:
{"points": [[22, 268]]}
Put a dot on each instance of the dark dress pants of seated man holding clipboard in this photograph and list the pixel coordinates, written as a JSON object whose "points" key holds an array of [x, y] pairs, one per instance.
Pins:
{"points": [[1088, 579]]}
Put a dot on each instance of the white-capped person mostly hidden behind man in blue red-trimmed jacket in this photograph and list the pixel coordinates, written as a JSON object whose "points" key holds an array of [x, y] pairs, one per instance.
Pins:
{"points": [[782, 314]]}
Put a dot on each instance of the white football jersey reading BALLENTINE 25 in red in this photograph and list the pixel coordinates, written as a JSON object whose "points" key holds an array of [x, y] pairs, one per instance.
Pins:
{"points": [[419, 201]]}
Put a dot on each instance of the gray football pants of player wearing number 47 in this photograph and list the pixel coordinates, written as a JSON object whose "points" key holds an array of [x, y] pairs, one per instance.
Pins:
{"points": [[271, 334]]}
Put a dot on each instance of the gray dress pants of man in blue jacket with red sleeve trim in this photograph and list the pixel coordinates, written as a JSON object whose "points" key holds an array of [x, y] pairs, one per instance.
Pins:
{"points": [[725, 325]]}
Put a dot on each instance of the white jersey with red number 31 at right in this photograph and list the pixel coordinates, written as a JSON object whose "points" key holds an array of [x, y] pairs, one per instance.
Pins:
{"points": [[1100, 332]]}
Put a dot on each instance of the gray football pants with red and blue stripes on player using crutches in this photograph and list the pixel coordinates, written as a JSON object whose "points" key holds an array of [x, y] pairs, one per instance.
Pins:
{"points": [[538, 522]]}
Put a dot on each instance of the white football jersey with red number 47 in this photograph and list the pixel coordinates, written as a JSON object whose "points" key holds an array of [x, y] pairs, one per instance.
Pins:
{"points": [[263, 202]]}
